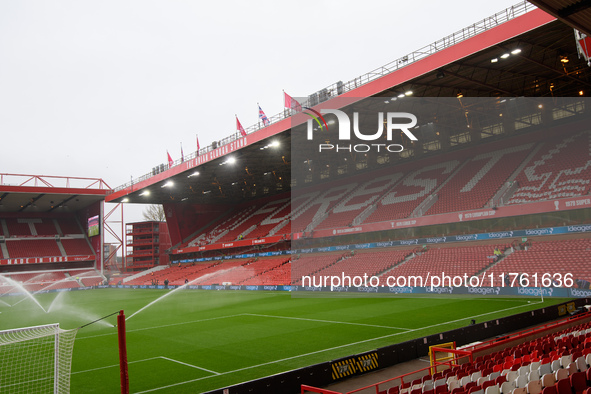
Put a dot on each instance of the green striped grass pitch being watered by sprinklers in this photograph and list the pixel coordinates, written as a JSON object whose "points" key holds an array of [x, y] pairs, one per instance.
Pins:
{"points": [[196, 340]]}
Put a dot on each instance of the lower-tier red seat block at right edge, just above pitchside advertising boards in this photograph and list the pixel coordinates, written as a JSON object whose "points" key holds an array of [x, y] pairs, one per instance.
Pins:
{"points": [[552, 257]]}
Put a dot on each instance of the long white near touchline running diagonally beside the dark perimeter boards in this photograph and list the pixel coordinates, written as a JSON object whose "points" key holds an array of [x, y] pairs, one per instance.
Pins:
{"points": [[333, 348]]}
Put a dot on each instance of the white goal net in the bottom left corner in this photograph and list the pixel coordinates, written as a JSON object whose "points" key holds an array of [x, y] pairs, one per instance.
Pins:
{"points": [[36, 359]]}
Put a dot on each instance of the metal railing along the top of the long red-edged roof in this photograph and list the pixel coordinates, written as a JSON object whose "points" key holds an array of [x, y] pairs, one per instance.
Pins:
{"points": [[339, 87]]}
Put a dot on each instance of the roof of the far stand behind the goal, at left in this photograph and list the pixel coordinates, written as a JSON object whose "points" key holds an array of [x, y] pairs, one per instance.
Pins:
{"points": [[49, 194]]}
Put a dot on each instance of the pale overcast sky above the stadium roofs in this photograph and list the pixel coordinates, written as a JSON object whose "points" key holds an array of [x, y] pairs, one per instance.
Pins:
{"points": [[104, 88]]}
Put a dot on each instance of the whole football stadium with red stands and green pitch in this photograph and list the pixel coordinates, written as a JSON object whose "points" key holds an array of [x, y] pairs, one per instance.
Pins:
{"points": [[448, 252]]}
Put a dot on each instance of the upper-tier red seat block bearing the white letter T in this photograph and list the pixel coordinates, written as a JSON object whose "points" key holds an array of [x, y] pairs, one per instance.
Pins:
{"points": [[478, 181]]}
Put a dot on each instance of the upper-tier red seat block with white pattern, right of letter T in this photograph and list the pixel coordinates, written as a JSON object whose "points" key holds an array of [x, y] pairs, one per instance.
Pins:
{"points": [[561, 168]]}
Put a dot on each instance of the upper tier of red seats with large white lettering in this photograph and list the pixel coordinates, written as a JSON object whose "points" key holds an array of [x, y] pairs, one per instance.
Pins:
{"points": [[468, 180]]}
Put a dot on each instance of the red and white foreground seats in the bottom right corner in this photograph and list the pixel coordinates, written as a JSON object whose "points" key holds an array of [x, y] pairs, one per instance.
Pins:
{"points": [[554, 364]]}
